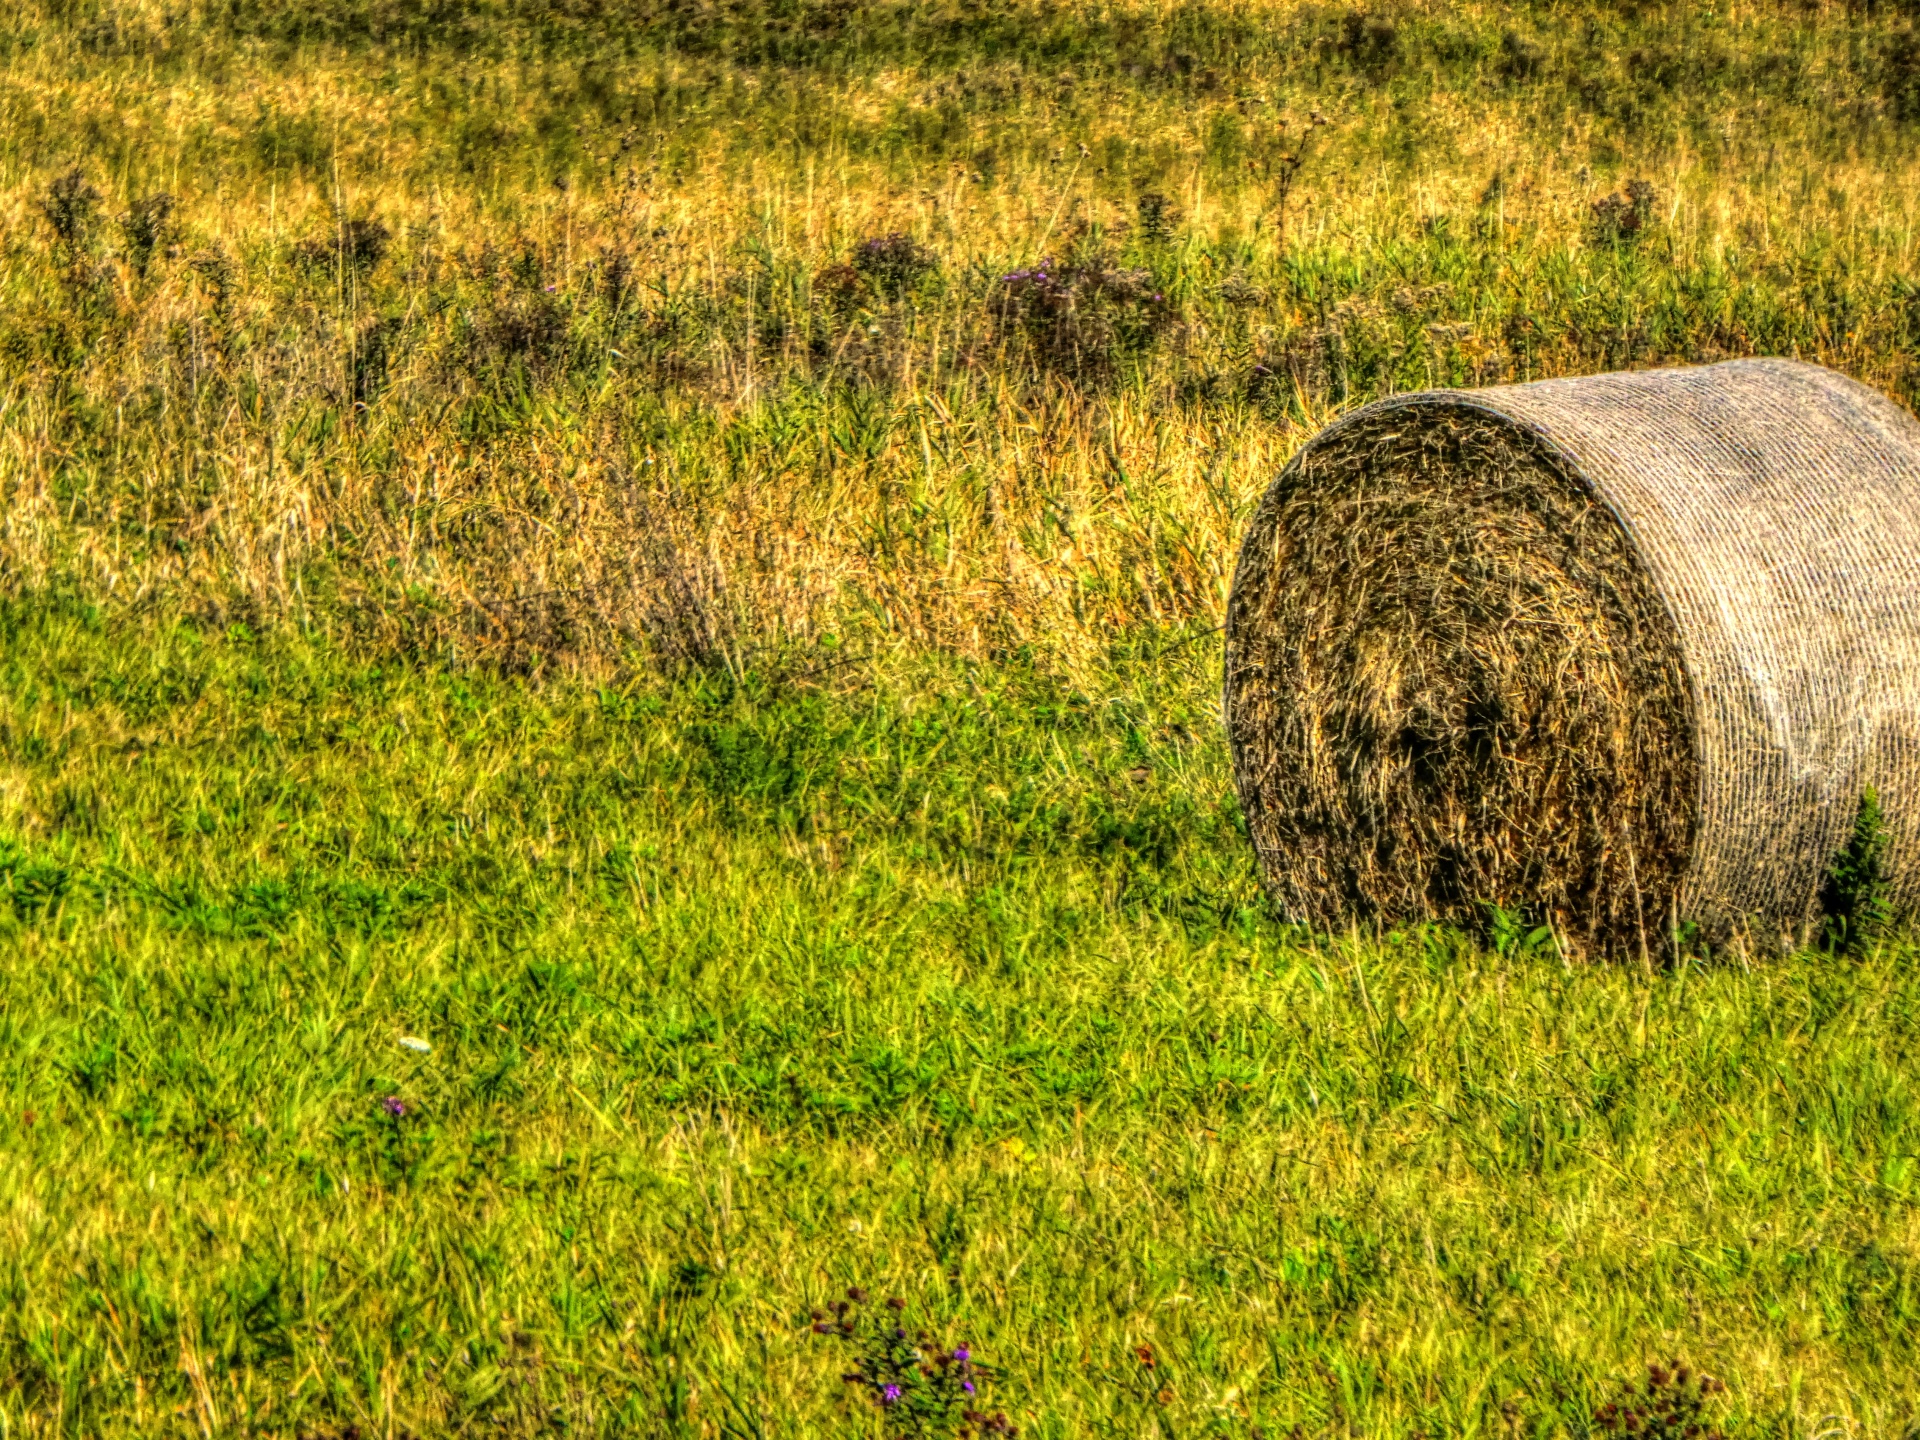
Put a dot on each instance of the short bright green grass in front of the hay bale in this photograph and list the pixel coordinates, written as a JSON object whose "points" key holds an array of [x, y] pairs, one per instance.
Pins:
{"points": [[953, 986]]}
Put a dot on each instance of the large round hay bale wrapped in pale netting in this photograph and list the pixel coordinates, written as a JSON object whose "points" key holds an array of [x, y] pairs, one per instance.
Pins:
{"points": [[1625, 648]]}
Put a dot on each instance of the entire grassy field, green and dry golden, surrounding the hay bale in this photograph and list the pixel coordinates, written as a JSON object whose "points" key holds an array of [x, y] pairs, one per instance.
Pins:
{"points": [[671, 556]]}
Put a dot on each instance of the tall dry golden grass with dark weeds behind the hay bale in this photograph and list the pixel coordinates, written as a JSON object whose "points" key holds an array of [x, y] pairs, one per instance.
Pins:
{"points": [[721, 339]]}
